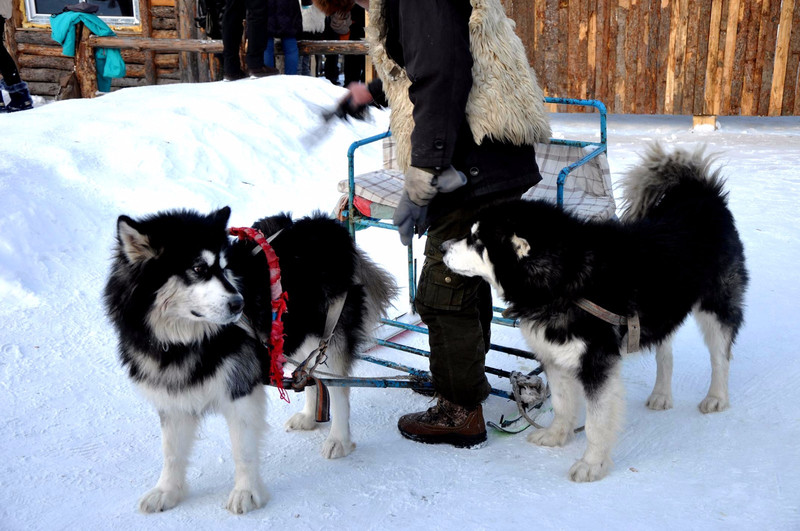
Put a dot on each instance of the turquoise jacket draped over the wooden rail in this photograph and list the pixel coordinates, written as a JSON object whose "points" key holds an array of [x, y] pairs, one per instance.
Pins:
{"points": [[108, 61]]}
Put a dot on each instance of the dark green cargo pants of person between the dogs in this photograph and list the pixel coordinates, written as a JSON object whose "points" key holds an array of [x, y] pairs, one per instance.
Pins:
{"points": [[458, 313]]}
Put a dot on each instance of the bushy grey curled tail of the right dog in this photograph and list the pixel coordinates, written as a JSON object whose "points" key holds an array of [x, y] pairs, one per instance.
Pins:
{"points": [[659, 171]]}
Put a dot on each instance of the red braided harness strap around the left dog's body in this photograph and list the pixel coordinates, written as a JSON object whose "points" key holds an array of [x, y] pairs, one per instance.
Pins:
{"points": [[279, 300]]}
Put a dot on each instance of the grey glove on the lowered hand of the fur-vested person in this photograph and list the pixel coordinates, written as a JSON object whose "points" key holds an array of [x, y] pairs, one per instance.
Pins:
{"points": [[421, 185]]}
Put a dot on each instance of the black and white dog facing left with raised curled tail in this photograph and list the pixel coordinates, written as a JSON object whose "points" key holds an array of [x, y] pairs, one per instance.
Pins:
{"points": [[675, 252]]}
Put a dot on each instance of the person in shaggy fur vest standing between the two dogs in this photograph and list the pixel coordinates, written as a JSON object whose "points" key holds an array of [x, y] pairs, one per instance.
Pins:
{"points": [[466, 110]]}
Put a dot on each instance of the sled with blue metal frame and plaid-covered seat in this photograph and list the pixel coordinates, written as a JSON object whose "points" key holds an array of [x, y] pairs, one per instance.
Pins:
{"points": [[575, 176]]}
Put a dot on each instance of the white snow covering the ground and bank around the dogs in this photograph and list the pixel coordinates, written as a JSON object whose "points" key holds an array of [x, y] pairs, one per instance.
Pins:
{"points": [[79, 446]]}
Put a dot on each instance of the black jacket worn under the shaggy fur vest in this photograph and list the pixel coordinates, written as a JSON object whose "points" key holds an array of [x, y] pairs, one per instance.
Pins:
{"points": [[430, 40]]}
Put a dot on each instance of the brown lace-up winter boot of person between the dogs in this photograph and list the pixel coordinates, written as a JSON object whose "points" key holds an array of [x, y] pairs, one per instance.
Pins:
{"points": [[445, 423]]}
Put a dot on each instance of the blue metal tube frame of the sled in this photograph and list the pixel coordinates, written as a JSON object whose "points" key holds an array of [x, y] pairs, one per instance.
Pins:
{"points": [[356, 221]]}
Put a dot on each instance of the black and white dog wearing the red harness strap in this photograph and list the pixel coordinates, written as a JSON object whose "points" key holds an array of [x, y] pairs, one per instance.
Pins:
{"points": [[177, 294]]}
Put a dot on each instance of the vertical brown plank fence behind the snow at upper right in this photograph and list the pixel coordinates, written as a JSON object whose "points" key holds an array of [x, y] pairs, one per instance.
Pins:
{"points": [[719, 57]]}
